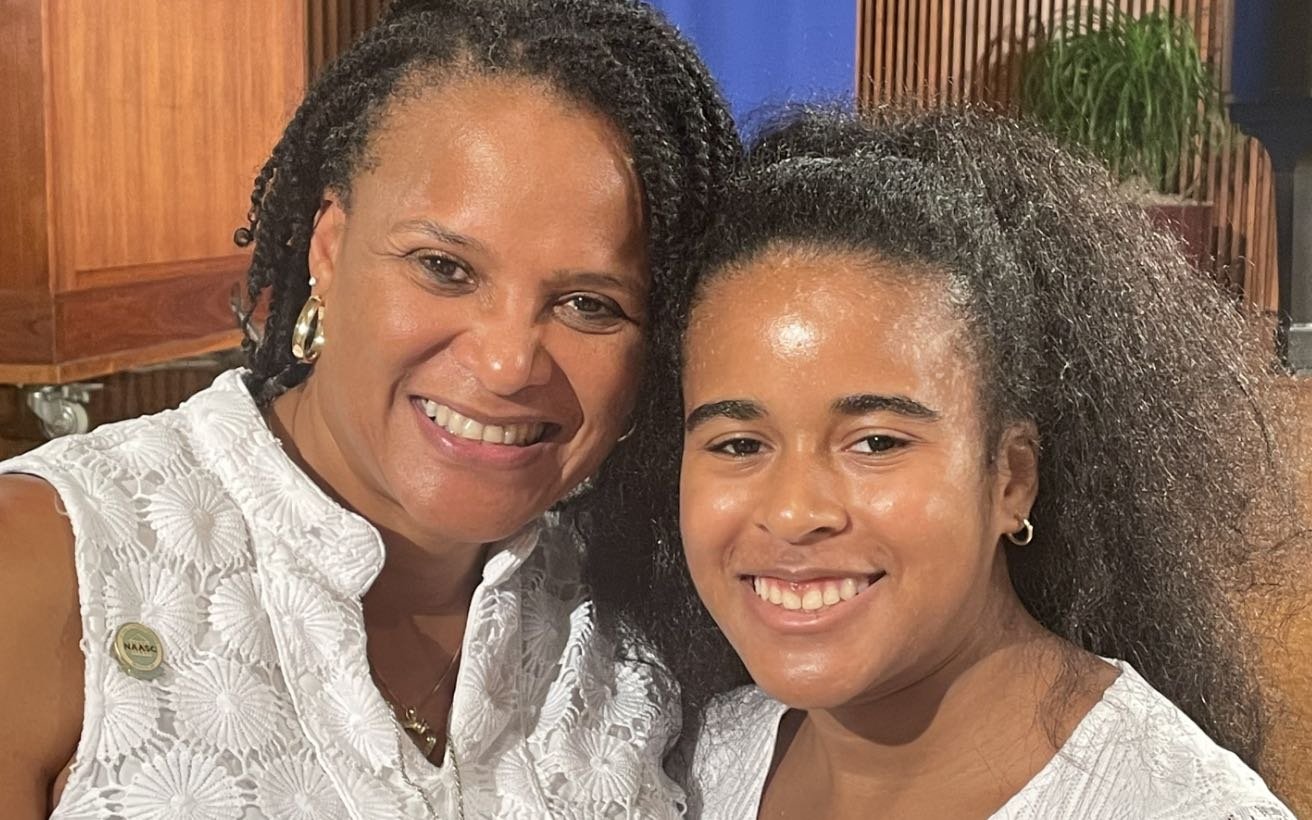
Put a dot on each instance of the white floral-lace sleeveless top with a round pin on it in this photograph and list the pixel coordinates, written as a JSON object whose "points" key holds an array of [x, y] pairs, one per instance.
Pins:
{"points": [[196, 524]]}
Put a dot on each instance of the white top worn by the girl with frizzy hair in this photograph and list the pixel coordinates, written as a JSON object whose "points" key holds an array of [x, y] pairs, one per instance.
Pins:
{"points": [[1136, 756]]}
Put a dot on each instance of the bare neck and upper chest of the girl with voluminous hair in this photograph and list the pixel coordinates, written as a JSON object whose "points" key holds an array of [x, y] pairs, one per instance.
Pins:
{"points": [[958, 743]]}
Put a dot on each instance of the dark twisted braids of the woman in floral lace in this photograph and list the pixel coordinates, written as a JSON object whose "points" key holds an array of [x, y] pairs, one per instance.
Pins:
{"points": [[616, 57]]}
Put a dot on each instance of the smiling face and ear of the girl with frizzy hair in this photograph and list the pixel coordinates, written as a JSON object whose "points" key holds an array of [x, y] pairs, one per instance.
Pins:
{"points": [[840, 508]]}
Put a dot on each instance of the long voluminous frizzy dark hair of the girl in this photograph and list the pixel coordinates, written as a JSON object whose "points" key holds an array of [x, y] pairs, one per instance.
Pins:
{"points": [[1155, 396]]}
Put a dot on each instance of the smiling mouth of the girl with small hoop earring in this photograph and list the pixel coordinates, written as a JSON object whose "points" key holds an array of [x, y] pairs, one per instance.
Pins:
{"points": [[790, 617]]}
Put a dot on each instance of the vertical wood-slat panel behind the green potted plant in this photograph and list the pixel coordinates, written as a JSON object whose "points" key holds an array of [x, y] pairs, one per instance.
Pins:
{"points": [[926, 53]]}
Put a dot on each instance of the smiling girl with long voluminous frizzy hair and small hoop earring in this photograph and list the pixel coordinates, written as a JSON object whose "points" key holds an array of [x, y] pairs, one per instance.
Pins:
{"points": [[968, 456]]}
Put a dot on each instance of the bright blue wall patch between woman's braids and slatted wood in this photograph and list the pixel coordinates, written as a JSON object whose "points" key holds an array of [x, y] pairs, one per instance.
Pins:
{"points": [[767, 53]]}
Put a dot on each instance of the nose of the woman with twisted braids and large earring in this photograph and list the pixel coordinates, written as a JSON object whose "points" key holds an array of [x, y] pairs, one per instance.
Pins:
{"points": [[506, 354]]}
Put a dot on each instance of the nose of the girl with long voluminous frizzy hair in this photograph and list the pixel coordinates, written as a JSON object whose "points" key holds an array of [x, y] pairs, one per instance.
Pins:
{"points": [[802, 503]]}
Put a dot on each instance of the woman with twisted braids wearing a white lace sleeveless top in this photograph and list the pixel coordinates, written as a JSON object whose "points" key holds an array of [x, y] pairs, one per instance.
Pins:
{"points": [[323, 588]]}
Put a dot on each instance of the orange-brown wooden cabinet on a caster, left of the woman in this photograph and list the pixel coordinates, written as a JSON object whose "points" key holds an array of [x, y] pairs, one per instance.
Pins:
{"points": [[131, 133]]}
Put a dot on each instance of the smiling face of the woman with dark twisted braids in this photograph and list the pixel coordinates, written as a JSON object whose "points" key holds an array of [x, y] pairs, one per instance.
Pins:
{"points": [[486, 292]]}
